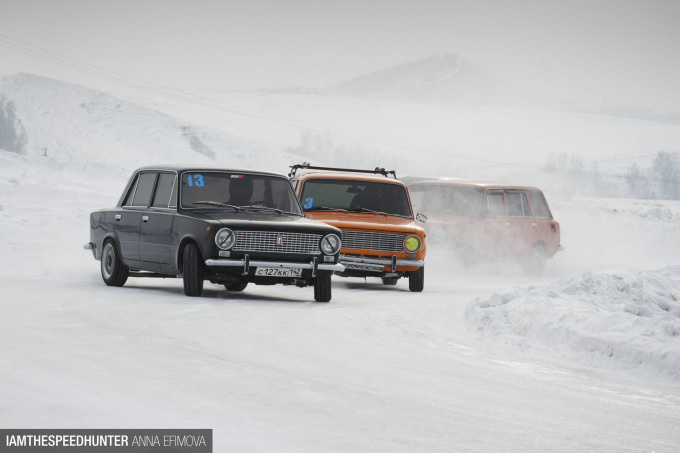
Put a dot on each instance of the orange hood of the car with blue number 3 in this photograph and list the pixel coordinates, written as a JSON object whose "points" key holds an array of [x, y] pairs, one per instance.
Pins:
{"points": [[364, 221]]}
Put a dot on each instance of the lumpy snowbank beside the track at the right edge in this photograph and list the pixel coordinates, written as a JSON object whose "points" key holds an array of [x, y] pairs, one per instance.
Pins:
{"points": [[621, 318]]}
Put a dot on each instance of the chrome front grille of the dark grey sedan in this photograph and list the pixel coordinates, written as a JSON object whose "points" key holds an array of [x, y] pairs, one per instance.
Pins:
{"points": [[277, 242]]}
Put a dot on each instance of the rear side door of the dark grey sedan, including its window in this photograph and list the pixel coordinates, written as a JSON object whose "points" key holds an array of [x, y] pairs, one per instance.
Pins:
{"points": [[128, 219]]}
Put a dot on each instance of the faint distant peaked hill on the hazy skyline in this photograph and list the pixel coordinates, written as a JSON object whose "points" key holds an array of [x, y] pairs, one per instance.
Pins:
{"points": [[442, 79]]}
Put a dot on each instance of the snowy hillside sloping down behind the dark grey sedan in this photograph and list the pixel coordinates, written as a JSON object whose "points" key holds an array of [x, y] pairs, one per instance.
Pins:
{"points": [[46, 117]]}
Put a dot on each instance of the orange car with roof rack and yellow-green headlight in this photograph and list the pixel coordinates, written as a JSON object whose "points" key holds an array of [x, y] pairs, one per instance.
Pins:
{"points": [[381, 236]]}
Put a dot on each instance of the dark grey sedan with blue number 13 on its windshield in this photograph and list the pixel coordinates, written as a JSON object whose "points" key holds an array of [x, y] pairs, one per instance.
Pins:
{"points": [[230, 227]]}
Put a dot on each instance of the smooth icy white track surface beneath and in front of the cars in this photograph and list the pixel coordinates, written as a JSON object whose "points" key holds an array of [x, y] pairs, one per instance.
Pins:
{"points": [[377, 369]]}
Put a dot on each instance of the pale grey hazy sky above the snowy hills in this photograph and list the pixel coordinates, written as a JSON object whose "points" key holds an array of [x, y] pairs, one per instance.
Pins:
{"points": [[627, 51]]}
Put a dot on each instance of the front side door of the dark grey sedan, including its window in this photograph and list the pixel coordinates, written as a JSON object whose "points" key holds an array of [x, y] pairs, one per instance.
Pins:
{"points": [[156, 222]]}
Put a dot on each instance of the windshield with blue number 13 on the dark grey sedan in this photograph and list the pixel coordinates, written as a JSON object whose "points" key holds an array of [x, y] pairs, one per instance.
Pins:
{"points": [[237, 191]]}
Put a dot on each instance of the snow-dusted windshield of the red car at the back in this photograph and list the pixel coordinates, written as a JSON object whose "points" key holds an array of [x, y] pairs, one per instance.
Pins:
{"points": [[446, 198]]}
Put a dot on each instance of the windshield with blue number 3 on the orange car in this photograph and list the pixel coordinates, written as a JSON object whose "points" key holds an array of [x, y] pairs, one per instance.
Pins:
{"points": [[355, 196]]}
